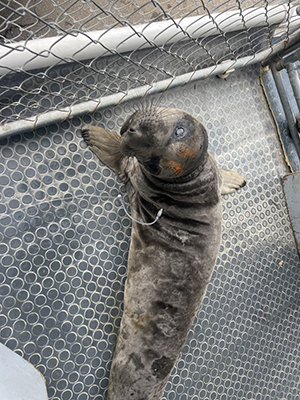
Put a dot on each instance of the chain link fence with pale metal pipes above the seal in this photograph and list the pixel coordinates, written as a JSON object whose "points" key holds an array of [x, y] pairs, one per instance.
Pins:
{"points": [[60, 58]]}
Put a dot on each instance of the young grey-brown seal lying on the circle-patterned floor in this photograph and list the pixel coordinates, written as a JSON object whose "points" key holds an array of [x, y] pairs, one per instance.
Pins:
{"points": [[161, 155]]}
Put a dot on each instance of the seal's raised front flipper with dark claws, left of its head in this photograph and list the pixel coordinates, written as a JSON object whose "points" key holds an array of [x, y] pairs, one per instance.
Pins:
{"points": [[105, 144]]}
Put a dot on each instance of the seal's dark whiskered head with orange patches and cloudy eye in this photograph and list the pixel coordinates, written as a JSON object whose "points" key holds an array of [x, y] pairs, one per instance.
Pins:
{"points": [[168, 143]]}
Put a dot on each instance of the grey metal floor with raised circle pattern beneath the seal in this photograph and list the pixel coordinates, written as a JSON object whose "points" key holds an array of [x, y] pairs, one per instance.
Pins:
{"points": [[64, 246]]}
